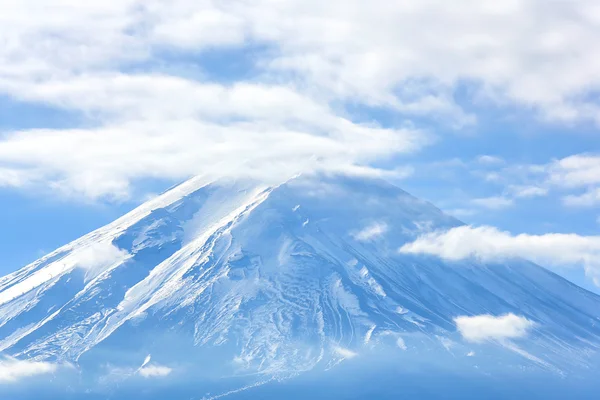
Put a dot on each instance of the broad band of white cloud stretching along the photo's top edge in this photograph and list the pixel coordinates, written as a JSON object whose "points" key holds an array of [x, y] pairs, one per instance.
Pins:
{"points": [[366, 52]]}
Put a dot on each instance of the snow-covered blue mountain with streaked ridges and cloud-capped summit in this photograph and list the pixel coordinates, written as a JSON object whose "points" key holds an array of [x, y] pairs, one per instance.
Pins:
{"points": [[234, 285]]}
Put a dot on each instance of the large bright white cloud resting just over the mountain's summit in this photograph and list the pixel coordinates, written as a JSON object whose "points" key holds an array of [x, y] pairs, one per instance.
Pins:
{"points": [[261, 131]]}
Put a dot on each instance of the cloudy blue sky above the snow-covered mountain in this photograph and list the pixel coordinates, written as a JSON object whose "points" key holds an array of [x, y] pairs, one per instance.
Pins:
{"points": [[490, 113]]}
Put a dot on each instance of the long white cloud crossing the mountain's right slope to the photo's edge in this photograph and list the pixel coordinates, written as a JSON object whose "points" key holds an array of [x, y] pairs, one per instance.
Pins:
{"points": [[490, 244]]}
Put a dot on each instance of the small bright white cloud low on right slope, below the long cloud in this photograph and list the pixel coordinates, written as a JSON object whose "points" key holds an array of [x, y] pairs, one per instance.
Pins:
{"points": [[482, 328]]}
